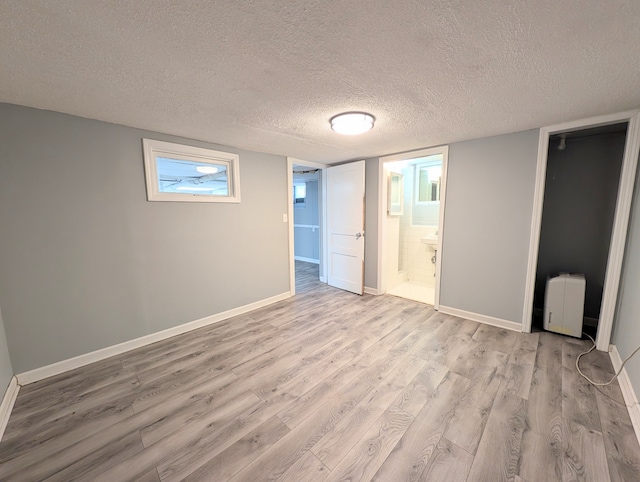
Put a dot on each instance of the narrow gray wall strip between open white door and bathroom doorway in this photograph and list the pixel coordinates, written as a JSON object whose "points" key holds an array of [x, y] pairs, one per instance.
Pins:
{"points": [[372, 167]]}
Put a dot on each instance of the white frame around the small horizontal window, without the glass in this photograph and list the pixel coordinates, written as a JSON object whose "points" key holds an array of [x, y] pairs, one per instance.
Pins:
{"points": [[154, 149]]}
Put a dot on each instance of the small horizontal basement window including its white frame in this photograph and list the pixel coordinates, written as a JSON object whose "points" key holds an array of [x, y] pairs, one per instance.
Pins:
{"points": [[176, 172]]}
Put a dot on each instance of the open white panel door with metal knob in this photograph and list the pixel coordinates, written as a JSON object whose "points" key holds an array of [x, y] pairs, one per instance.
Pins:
{"points": [[345, 220]]}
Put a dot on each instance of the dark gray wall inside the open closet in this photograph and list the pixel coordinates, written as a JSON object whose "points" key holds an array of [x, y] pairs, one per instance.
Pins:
{"points": [[579, 206]]}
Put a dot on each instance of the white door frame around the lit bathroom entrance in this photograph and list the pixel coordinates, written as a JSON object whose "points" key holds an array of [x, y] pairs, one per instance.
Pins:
{"points": [[382, 213]]}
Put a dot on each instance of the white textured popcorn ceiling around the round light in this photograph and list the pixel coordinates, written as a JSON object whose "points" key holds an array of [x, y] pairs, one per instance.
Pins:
{"points": [[267, 75]]}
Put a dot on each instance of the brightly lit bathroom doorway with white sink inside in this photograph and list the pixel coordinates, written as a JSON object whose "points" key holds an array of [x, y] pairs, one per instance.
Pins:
{"points": [[412, 192]]}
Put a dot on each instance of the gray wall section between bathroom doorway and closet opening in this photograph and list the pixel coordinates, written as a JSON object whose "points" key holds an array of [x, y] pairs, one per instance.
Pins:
{"points": [[487, 224]]}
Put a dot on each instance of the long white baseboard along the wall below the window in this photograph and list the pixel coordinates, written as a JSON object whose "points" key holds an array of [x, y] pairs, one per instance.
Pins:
{"points": [[94, 356]]}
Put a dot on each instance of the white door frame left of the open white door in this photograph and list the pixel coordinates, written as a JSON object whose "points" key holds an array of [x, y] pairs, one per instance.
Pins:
{"points": [[291, 161]]}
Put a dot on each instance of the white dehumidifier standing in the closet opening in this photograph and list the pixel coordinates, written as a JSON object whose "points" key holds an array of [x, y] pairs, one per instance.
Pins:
{"points": [[564, 304]]}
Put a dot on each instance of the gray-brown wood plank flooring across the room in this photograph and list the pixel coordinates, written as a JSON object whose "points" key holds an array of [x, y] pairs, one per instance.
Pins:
{"points": [[329, 386]]}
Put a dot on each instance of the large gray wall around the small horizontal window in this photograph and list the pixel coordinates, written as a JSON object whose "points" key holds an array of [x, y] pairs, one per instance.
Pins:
{"points": [[86, 262]]}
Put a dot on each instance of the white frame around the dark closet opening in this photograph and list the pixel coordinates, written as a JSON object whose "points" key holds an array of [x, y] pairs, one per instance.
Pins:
{"points": [[620, 223]]}
